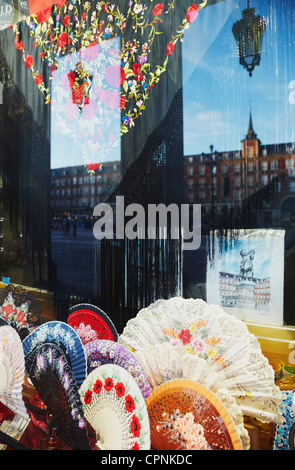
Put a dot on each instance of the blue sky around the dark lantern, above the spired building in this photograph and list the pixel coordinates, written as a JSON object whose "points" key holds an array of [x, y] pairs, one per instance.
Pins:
{"points": [[218, 91]]}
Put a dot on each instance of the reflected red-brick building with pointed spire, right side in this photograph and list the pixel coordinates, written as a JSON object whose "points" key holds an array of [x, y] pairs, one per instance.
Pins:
{"points": [[255, 182]]}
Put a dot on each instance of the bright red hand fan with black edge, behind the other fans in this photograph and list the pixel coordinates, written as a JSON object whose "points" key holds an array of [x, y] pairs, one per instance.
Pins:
{"points": [[91, 323]]}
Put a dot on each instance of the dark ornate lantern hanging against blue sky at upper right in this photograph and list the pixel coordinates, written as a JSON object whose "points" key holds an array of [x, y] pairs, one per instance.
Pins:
{"points": [[248, 33]]}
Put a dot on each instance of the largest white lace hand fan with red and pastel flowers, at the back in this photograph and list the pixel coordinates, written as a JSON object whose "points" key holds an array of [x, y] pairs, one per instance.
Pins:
{"points": [[223, 341]]}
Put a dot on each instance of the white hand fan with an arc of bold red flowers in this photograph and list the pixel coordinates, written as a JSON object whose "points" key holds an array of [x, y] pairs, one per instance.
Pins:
{"points": [[115, 408]]}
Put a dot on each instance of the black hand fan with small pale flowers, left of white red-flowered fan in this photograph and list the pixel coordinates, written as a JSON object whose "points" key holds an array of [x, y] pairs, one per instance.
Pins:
{"points": [[51, 375]]}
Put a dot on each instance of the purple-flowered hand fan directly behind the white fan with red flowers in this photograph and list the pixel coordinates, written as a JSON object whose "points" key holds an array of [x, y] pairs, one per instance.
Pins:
{"points": [[109, 352]]}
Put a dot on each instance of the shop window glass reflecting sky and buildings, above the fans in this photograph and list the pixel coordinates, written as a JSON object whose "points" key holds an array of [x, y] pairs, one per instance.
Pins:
{"points": [[98, 108]]}
